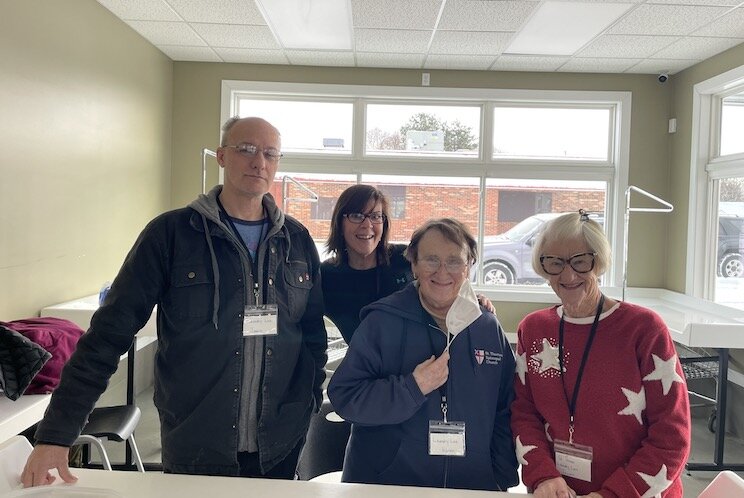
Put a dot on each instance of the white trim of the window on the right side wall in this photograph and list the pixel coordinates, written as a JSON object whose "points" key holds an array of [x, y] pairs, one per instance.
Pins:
{"points": [[704, 169]]}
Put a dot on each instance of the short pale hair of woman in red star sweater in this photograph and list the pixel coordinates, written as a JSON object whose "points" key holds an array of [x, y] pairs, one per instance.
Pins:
{"points": [[574, 226]]}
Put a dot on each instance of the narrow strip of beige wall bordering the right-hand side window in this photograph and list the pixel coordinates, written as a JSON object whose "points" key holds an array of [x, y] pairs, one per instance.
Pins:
{"points": [[680, 153]]}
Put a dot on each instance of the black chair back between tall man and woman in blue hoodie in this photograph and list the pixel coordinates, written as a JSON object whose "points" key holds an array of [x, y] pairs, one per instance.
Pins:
{"points": [[326, 444]]}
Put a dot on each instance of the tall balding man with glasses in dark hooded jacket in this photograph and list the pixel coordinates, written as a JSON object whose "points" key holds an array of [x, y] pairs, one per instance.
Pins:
{"points": [[241, 339]]}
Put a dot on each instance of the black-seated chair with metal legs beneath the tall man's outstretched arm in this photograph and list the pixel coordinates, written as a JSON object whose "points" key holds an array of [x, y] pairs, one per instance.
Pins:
{"points": [[115, 423]]}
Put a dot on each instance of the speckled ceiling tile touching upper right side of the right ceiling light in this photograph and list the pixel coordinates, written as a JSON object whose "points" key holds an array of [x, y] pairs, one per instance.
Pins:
{"points": [[665, 19]]}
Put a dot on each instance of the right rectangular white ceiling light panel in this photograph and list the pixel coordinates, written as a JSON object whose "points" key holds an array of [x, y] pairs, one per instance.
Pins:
{"points": [[562, 28]]}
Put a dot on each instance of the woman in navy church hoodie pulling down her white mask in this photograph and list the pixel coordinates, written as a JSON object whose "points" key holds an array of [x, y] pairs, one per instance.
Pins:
{"points": [[427, 381]]}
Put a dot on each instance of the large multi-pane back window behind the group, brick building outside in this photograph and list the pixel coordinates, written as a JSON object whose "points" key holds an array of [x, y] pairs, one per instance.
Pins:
{"points": [[490, 158]]}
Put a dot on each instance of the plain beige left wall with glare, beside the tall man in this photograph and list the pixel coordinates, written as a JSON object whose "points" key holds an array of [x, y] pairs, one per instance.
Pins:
{"points": [[85, 148]]}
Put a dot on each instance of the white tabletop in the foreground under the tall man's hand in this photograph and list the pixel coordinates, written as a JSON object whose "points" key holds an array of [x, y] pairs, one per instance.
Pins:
{"points": [[104, 484]]}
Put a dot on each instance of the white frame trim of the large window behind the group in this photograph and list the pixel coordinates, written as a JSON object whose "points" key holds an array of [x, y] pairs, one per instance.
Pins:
{"points": [[617, 177]]}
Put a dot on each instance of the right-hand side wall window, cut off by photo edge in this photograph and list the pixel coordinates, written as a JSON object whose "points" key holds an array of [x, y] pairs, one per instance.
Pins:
{"points": [[717, 208]]}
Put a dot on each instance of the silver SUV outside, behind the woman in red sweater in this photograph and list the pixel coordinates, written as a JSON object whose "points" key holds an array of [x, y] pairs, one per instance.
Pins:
{"points": [[507, 257]]}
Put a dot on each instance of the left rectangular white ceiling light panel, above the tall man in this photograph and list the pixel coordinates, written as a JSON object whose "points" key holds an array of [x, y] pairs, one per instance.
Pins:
{"points": [[309, 24]]}
